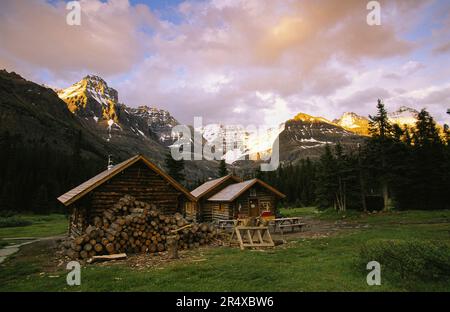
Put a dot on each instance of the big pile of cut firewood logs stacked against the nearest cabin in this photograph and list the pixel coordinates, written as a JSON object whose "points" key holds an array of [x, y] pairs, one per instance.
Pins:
{"points": [[132, 226]]}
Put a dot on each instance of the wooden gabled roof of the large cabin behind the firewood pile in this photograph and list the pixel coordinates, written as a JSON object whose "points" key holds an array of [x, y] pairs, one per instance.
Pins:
{"points": [[86, 187]]}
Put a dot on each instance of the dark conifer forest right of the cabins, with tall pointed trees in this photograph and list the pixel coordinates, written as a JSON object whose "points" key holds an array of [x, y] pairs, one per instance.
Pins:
{"points": [[402, 167]]}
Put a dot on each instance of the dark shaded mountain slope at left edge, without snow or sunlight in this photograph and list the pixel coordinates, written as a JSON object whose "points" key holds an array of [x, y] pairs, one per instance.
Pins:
{"points": [[39, 116]]}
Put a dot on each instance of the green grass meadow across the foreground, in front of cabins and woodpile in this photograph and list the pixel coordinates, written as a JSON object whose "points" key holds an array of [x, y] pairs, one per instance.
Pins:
{"points": [[305, 264]]}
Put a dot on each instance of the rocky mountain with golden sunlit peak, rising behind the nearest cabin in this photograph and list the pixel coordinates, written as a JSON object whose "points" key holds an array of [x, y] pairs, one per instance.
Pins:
{"points": [[142, 130]]}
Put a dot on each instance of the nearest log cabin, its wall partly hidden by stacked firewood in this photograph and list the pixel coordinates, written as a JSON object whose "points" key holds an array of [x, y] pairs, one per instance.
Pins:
{"points": [[137, 177]]}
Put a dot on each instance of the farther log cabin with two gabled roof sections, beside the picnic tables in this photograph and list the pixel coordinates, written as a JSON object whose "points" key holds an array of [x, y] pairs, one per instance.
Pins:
{"points": [[229, 197]]}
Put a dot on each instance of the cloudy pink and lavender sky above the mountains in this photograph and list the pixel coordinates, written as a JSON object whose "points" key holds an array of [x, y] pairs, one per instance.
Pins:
{"points": [[239, 61]]}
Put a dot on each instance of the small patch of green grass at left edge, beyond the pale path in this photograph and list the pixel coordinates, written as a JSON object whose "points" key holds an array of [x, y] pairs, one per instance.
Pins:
{"points": [[41, 226]]}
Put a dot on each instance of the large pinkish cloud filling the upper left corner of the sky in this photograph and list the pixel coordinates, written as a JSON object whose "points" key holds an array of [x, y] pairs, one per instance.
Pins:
{"points": [[108, 41]]}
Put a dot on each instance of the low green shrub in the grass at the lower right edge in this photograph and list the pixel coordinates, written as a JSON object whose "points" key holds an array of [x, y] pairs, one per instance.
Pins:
{"points": [[411, 259]]}
